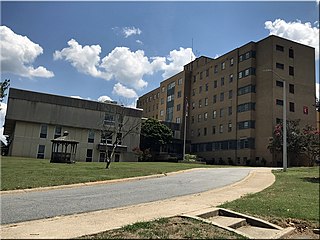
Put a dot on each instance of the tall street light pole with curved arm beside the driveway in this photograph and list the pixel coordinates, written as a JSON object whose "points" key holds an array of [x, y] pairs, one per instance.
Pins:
{"points": [[284, 122]]}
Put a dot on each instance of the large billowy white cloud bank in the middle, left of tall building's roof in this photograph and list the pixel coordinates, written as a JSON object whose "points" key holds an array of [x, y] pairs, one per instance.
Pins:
{"points": [[121, 64]]}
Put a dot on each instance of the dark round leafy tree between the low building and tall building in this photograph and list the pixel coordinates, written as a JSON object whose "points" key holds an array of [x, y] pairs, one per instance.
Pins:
{"points": [[154, 134]]}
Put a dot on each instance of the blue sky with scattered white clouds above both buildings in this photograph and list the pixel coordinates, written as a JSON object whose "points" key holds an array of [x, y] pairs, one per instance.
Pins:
{"points": [[121, 50]]}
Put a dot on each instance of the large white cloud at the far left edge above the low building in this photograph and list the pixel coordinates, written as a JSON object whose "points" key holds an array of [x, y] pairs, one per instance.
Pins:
{"points": [[18, 54]]}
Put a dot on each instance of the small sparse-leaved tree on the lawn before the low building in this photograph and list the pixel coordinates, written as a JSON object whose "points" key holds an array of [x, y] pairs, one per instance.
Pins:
{"points": [[115, 127]]}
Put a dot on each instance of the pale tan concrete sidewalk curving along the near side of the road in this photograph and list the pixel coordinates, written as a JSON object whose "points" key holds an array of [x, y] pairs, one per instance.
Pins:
{"points": [[93, 222]]}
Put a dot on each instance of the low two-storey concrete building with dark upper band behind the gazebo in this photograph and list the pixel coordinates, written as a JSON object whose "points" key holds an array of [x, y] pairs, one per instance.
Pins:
{"points": [[33, 119]]}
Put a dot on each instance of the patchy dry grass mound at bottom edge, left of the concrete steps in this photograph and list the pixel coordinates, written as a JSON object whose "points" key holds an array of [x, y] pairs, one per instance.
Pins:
{"points": [[167, 228]]}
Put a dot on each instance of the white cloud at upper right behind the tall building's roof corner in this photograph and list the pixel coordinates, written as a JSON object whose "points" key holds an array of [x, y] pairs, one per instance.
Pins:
{"points": [[296, 31]]}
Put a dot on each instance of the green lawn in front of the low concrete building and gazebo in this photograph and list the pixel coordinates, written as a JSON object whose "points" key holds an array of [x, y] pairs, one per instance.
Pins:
{"points": [[22, 173]]}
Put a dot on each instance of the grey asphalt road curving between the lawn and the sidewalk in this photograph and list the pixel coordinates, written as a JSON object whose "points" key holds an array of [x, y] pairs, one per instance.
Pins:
{"points": [[19, 207]]}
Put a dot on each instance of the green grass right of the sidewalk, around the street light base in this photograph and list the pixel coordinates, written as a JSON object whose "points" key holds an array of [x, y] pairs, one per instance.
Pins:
{"points": [[295, 194]]}
